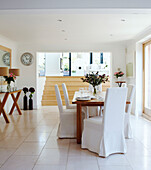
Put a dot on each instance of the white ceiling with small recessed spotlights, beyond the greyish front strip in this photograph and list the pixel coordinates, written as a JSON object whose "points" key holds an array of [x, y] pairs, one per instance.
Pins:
{"points": [[79, 28]]}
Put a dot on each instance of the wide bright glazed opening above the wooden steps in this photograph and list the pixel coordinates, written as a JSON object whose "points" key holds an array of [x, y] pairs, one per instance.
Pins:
{"points": [[73, 64]]}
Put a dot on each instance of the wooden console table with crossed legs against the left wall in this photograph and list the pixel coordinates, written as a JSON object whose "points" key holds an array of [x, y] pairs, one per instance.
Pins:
{"points": [[3, 102]]}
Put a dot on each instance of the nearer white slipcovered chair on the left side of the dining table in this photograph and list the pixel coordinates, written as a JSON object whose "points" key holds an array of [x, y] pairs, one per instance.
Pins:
{"points": [[67, 126]]}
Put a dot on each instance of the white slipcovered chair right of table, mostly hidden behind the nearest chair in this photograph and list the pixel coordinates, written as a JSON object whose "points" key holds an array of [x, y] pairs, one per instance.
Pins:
{"points": [[127, 124]]}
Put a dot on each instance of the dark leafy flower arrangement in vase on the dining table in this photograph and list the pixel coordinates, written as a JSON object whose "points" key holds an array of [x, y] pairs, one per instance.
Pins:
{"points": [[95, 79]]}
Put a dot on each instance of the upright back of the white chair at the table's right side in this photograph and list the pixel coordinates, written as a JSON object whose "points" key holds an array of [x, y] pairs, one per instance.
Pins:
{"points": [[130, 95]]}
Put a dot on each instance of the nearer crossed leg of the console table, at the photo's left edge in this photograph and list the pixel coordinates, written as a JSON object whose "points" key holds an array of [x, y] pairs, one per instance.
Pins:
{"points": [[2, 104]]}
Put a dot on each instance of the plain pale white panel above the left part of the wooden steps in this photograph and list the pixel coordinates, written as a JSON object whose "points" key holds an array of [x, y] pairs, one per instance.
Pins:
{"points": [[53, 64]]}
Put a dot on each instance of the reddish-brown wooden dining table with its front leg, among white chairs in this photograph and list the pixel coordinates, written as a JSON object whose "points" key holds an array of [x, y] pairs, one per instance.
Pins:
{"points": [[80, 103]]}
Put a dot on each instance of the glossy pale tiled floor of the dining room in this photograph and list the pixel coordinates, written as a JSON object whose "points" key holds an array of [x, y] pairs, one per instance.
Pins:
{"points": [[30, 142]]}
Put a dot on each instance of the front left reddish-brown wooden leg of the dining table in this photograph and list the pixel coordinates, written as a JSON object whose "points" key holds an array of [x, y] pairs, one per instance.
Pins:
{"points": [[79, 130]]}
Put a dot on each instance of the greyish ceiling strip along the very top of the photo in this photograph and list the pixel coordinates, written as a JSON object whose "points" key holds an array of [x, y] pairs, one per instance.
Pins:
{"points": [[72, 4]]}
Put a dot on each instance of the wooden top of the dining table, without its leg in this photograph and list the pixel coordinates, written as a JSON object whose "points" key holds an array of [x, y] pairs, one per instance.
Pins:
{"points": [[92, 102]]}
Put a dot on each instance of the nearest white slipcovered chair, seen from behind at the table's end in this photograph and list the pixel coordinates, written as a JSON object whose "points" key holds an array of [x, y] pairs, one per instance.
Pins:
{"points": [[105, 135]]}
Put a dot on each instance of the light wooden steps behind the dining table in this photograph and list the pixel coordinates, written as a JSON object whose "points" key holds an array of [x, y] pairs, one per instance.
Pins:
{"points": [[73, 84]]}
